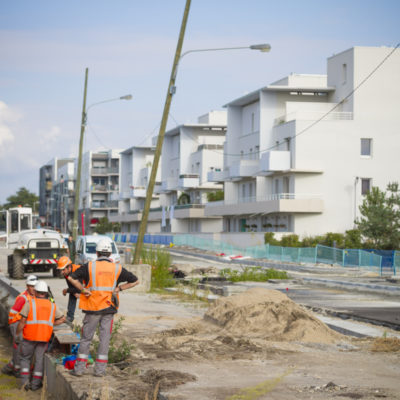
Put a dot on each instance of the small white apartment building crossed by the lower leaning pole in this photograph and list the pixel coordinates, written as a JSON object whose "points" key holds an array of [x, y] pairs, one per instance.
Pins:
{"points": [[136, 165]]}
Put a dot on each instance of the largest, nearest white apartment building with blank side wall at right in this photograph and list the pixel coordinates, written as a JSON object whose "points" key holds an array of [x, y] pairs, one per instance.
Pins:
{"points": [[302, 152]]}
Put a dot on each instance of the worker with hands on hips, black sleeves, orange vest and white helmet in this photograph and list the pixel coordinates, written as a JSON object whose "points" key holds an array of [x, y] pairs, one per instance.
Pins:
{"points": [[99, 301]]}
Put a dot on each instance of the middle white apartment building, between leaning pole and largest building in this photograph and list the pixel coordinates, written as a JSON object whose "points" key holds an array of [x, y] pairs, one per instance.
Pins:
{"points": [[190, 151]]}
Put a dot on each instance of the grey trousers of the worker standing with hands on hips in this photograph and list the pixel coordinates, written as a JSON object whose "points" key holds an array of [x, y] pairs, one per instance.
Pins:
{"points": [[90, 323]]}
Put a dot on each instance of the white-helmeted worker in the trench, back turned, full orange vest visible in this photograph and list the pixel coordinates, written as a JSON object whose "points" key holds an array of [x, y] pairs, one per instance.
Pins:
{"points": [[38, 316]]}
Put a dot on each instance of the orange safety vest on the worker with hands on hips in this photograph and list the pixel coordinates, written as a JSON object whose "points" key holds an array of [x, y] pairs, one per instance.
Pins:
{"points": [[103, 277]]}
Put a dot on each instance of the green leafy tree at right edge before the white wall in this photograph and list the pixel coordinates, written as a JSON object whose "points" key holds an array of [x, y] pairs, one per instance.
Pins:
{"points": [[379, 223]]}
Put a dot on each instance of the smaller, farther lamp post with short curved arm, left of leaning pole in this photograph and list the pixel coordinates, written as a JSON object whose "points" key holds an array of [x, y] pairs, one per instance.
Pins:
{"points": [[79, 170]]}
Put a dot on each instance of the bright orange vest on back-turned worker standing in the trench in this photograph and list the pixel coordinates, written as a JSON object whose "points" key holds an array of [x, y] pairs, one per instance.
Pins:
{"points": [[40, 321]]}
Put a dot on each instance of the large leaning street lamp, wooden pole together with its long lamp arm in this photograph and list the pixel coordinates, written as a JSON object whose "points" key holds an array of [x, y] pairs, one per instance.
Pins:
{"points": [[157, 153]]}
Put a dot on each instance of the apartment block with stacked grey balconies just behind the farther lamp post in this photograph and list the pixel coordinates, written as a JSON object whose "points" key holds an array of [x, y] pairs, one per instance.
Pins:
{"points": [[99, 189]]}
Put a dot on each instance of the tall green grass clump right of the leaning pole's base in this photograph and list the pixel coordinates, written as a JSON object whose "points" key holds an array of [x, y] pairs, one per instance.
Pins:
{"points": [[160, 261]]}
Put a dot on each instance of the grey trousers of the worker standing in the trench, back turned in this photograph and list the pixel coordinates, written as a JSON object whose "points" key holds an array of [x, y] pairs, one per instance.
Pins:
{"points": [[28, 349]]}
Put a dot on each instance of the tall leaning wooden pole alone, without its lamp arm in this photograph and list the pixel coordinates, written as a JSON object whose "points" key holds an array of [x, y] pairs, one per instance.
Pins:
{"points": [[170, 92]]}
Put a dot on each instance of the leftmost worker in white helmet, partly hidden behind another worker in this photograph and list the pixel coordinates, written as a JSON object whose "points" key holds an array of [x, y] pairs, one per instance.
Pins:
{"points": [[13, 366]]}
